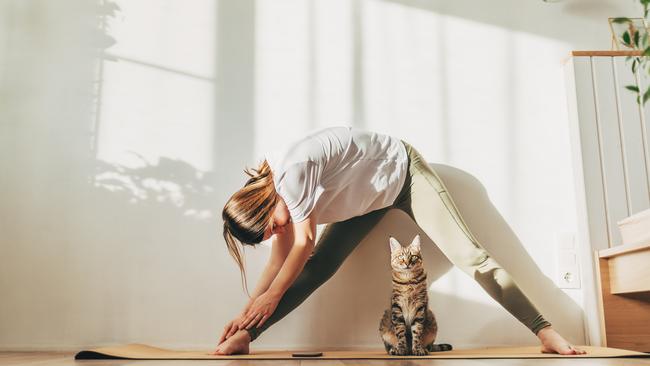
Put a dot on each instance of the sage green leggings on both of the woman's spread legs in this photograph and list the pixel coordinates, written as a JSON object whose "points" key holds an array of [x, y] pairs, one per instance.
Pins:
{"points": [[426, 200]]}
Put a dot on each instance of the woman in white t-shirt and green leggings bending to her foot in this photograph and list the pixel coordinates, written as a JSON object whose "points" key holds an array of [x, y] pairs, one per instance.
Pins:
{"points": [[348, 179]]}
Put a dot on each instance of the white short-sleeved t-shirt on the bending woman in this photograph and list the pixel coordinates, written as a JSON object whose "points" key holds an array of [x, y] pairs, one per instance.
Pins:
{"points": [[339, 173]]}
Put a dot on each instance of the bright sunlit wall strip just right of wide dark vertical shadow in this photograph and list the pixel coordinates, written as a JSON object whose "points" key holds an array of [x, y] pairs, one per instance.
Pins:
{"points": [[282, 72]]}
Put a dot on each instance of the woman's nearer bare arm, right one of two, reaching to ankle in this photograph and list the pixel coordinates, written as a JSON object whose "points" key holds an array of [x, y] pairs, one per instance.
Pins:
{"points": [[304, 235]]}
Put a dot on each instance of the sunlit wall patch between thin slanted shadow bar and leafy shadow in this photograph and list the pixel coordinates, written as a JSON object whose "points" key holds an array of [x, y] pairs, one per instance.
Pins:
{"points": [[155, 114]]}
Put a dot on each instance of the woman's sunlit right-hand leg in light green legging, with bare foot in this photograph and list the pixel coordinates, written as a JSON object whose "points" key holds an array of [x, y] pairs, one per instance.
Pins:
{"points": [[433, 209]]}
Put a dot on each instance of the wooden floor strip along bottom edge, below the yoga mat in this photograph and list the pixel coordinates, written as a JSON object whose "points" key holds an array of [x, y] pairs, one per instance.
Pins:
{"points": [[67, 358]]}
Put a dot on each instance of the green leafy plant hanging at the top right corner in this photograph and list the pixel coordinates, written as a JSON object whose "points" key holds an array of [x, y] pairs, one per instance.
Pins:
{"points": [[637, 40]]}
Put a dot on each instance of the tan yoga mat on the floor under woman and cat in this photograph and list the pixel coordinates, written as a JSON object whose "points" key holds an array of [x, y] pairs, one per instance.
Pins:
{"points": [[144, 352]]}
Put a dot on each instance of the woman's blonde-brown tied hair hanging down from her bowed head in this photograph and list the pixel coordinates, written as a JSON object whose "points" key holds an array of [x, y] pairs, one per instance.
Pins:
{"points": [[248, 212]]}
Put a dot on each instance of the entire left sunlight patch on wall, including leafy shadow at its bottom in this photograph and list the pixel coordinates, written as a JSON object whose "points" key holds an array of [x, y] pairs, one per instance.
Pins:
{"points": [[155, 122]]}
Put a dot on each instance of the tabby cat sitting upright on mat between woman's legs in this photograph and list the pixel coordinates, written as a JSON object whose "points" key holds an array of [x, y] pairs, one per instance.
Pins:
{"points": [[409, 327]]}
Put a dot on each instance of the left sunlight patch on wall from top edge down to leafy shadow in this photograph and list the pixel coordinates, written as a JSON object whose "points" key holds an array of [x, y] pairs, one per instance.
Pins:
{"points": [[157, 85]]}
